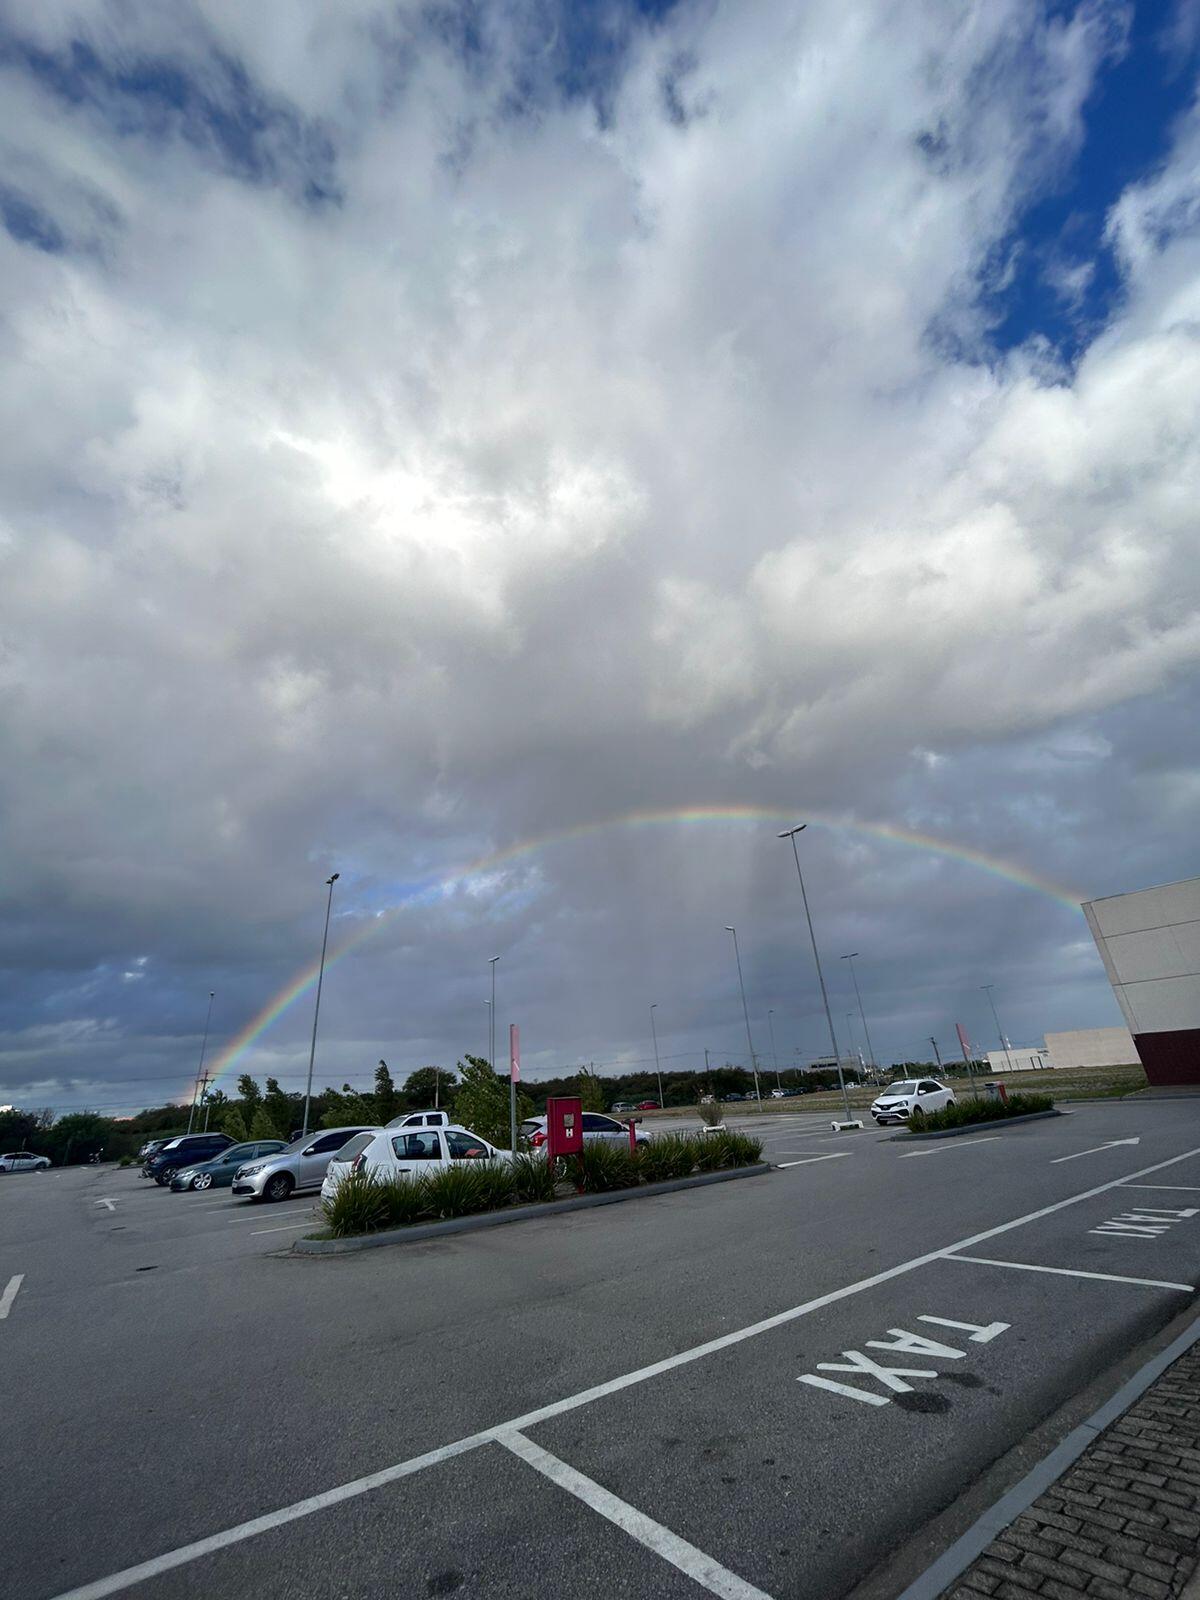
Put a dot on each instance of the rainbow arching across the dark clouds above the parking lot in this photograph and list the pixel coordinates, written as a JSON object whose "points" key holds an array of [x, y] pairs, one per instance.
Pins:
{"points": [[660, 818]]}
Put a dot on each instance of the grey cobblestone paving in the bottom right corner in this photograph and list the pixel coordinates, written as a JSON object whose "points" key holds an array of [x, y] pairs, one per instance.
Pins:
{"points": [[1124, 1522]]}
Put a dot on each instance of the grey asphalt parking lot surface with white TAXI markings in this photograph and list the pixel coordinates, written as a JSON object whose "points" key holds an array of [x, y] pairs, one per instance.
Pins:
{"points": [[769, 1388]]}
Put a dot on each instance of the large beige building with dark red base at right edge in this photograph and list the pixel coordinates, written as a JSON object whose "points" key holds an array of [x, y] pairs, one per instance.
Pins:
{"points": [[1150, 943]]}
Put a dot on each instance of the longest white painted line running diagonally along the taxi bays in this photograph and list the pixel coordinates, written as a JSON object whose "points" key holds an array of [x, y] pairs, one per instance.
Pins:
{"points": [[247, 1530]]}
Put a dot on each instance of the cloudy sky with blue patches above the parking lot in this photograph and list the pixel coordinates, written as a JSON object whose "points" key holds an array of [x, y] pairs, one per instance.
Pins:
{"points": [[434, 430]]}
